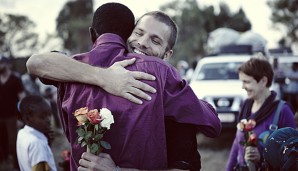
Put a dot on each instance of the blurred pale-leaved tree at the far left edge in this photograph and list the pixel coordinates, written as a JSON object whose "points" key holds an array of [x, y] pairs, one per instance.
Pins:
{"points": [[16, 36]]}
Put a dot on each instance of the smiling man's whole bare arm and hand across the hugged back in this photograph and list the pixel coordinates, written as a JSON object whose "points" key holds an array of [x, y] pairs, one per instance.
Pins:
{"points": [[115, 79]]}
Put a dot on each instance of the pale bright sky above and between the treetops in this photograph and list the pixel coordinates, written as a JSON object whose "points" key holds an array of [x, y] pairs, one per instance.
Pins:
{"points": [[45, 12]]}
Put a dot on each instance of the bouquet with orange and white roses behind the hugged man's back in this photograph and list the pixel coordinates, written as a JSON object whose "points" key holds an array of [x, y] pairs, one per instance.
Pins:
{"points": [[92, 127]]}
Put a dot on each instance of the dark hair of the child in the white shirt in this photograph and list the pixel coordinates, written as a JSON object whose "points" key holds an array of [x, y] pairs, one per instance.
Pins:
{"points": [[30, 104]]}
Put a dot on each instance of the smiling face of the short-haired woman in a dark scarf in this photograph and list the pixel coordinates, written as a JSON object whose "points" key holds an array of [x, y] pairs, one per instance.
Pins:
{"points": [[253, 88]]}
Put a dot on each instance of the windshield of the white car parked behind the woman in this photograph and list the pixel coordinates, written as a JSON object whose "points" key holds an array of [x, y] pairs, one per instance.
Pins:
{"points": [[219, 71]]}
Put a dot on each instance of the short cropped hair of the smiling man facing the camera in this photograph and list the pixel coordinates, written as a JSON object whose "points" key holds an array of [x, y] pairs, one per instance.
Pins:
{"points": [[164, 18]]}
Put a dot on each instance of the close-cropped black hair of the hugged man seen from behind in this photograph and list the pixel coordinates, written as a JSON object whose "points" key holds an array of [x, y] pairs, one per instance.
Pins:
{"points": [[113, 18]]}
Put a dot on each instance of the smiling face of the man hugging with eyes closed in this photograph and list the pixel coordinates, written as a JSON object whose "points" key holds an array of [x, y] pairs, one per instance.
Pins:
{"points": [[150, 37]]}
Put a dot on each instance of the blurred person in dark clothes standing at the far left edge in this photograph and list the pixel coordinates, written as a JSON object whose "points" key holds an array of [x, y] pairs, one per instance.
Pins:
{"points": [[11, 91]]}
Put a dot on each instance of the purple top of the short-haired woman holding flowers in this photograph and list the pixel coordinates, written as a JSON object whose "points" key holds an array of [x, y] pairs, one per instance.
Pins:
{"points": [[286, 119]]}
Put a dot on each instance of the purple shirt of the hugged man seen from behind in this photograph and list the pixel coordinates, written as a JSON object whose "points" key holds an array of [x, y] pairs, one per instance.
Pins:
{"points": [[138, 136]]}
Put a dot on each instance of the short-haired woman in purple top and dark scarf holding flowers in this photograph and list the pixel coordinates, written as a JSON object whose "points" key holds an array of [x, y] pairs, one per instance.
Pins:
{"points": [[256, 75]]}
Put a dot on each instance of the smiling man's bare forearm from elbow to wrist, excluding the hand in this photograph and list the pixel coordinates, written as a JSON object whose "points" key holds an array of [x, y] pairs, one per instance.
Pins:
{"points": [[59, 67]]}
